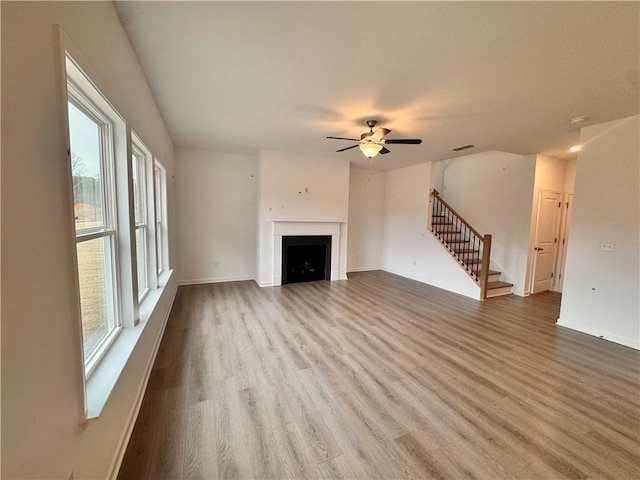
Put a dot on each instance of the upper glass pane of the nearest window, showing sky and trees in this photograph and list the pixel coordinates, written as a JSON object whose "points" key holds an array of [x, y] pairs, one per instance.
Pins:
{"points": [[86, 169]]}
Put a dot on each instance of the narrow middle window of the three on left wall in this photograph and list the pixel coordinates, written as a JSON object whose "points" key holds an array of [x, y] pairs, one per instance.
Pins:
{"points": [[139, 175]]}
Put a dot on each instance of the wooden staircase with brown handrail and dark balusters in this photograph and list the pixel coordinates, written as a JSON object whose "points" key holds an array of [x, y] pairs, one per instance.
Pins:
{"points": [[470, 249]]}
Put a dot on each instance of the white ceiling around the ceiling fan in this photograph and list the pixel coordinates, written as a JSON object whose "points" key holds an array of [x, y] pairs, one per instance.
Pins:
{"points": [[244, 76]]}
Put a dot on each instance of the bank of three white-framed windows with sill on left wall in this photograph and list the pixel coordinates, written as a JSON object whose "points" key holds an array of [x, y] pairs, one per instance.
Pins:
{"points": [[117, 189]]}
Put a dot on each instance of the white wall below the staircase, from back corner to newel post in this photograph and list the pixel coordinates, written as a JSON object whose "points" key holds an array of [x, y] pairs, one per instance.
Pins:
{"points": [[409, 249]]}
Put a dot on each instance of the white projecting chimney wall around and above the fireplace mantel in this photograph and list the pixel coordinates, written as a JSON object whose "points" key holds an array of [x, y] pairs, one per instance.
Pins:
{"points": [[298, 188]]}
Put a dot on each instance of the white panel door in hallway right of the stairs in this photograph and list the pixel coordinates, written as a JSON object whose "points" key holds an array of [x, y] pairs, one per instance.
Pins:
{"points": [[546, 240]]}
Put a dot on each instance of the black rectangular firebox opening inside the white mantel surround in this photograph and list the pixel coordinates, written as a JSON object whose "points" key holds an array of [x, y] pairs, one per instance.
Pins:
{"points": [[306, 258]]}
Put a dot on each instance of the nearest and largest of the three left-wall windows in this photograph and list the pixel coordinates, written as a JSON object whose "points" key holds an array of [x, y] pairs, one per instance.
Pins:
{"points": [[92, 170]]}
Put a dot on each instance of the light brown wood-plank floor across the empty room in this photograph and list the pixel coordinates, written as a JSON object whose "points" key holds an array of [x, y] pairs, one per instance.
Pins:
{"points": [[382, 377]]}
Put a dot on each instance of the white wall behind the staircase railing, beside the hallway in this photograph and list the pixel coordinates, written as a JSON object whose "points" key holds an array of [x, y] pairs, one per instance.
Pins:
{"points": [[493, 192]]}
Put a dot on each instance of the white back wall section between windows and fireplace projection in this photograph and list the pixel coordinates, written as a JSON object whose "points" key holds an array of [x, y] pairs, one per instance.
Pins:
{"points": [[216, 205]]}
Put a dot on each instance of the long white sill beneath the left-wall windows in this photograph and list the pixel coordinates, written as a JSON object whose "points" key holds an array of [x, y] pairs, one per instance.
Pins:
{"points": [[105, 376]]}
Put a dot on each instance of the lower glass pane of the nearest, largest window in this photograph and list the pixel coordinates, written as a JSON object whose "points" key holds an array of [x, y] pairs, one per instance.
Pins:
{"points": [[94, 273]]}
